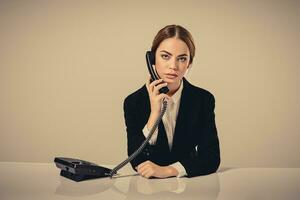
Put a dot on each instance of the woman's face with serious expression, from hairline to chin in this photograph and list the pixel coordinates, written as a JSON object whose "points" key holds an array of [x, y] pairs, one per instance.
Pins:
{"points": [[172, 59]]}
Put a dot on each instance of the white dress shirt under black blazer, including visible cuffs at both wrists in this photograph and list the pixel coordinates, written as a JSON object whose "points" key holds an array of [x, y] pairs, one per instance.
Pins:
{"points": [[169, 120]]}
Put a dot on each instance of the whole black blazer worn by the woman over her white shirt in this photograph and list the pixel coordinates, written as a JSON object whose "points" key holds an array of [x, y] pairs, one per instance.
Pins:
{"points": [[195, 126]]}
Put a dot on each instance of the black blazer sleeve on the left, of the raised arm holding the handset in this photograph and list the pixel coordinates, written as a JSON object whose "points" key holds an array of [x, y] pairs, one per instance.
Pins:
{"points": [[135, 137]]}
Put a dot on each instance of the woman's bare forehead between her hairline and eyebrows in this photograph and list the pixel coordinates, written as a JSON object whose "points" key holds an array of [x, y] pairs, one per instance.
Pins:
{"points": [[173, 45]]}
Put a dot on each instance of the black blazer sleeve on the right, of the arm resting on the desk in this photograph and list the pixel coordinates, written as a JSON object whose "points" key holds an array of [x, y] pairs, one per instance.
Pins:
{"points": [[206, 159]]}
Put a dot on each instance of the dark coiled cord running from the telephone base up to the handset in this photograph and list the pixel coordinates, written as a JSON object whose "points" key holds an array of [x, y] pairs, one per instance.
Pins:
{"points": [[140, 149]]}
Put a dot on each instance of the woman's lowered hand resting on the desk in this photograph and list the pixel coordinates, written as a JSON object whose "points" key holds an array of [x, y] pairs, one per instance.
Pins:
{"points": [[149, 169]]}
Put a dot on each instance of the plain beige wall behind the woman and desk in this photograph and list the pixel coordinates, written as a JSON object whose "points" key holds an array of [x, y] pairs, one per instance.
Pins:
{"points": [[66, 67]]}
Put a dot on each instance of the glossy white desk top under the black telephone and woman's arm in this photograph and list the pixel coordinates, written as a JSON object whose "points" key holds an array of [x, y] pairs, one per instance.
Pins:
{"points": [[42, 181]]}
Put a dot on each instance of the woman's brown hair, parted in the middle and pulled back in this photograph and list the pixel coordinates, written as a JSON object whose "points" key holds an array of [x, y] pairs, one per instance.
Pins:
{"points": [[176, 31]]}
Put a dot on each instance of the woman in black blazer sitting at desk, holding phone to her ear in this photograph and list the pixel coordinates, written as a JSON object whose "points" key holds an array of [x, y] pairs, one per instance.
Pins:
{"points": [[186, 141]]}
